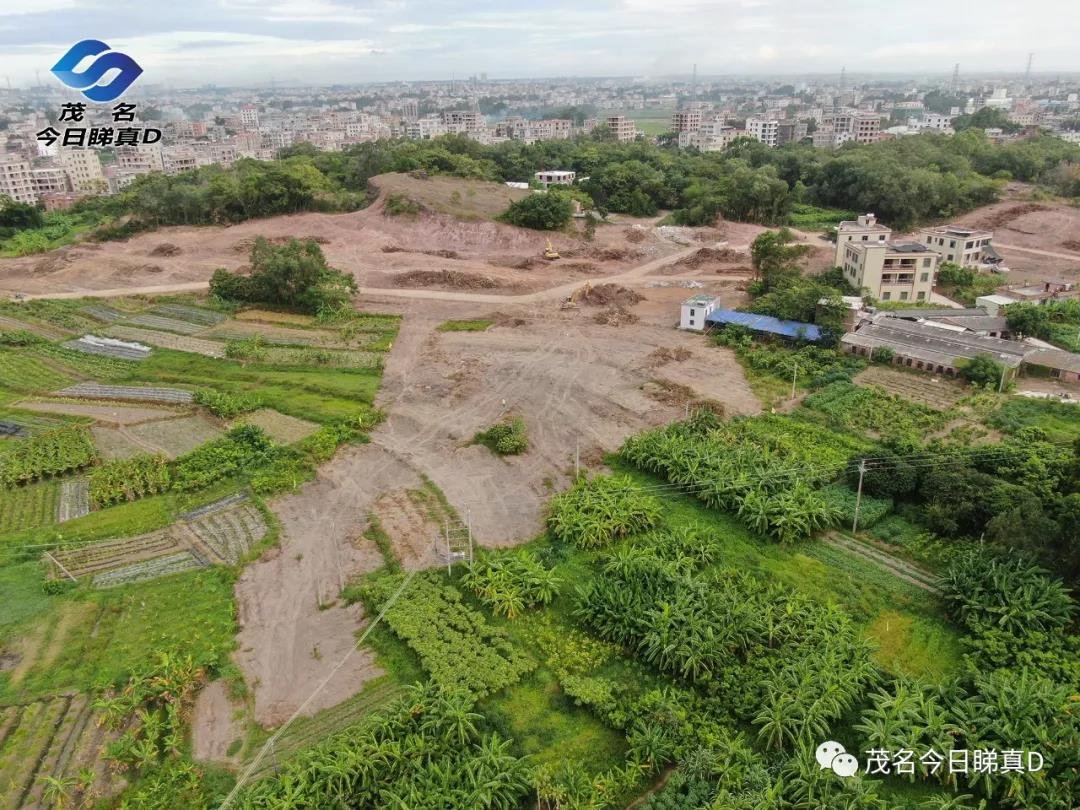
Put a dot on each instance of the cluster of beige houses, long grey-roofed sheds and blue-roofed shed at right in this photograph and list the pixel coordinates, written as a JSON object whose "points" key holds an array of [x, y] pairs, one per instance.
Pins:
{"points": [[937, 341]]}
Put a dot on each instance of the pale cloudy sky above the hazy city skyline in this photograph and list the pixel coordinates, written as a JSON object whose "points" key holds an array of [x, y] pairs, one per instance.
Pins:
{"points": [[190, 43]]}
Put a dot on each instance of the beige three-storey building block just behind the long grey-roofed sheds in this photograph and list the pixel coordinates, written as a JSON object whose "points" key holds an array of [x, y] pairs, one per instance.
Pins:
{"points": [[890, 272]]}
